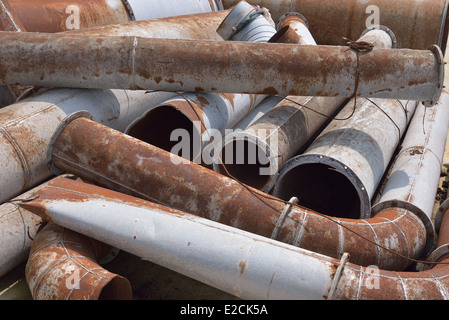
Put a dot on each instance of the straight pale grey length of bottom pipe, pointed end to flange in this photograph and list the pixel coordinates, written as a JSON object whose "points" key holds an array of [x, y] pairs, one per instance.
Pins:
{"points": [[234, 261]]}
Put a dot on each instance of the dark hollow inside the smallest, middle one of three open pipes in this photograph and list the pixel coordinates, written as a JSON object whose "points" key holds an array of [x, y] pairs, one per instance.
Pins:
{"points": [[243, 160]]}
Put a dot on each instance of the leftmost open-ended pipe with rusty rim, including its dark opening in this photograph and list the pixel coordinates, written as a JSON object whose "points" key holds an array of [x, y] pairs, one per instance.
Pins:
{"points": [[201, 116]]}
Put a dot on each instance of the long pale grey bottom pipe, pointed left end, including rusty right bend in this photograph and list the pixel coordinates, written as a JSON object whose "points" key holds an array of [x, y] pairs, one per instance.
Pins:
{"points": [[240, 263]]}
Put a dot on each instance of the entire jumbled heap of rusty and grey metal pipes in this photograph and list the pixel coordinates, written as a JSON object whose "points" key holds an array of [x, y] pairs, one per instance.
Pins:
{"points": [[134, 125]]}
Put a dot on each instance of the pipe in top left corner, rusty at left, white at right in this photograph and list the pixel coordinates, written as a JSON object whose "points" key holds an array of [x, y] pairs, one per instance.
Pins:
{"points": [[62, 15]]}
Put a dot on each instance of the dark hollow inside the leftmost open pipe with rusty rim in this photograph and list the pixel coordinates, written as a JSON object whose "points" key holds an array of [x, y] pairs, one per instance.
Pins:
{"points": [[157, 126]]}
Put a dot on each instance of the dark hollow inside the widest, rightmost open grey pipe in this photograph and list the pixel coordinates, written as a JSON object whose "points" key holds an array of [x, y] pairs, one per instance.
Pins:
{"points": [[320, 188]]}
